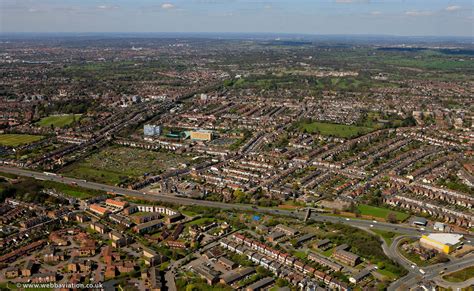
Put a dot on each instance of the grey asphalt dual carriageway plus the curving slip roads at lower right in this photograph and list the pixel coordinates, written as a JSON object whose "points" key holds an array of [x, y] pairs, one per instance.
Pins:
{"points": [[412, 279]]}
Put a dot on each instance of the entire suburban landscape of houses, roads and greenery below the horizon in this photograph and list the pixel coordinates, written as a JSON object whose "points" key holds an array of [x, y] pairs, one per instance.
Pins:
{"points": [[261, 163]]}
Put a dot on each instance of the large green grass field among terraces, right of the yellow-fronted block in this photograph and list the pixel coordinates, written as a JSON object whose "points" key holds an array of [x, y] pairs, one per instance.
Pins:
{"points": [[337, 130]]}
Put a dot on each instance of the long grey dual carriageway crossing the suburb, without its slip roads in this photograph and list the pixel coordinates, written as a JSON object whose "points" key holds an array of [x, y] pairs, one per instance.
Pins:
{"points": [[400, 228]]}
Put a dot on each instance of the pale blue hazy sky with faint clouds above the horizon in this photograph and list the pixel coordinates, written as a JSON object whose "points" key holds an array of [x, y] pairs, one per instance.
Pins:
{"points": [[378, 17]]}
